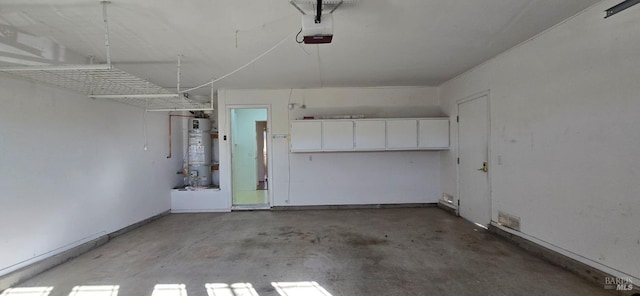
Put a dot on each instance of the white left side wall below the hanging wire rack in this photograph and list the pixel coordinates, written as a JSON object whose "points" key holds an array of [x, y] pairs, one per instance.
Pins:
{"points": [[73, 168]]}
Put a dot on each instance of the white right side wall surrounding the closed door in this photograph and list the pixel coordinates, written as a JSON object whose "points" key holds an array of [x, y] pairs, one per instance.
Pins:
{"points": [[564, 122]]}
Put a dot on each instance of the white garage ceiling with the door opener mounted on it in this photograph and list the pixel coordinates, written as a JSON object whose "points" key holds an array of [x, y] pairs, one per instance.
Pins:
{"points": [[376, 42]]}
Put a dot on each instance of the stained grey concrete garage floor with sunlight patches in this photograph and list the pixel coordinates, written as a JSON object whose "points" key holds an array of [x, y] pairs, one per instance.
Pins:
{"points": [[419, 251]]}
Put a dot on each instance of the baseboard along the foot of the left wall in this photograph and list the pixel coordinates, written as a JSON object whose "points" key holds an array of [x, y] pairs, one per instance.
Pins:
{"points": [[15, 277]]}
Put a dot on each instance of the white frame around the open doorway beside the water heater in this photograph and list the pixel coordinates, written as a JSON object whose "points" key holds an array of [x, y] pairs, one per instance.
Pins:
{"points": [[230, 149]]}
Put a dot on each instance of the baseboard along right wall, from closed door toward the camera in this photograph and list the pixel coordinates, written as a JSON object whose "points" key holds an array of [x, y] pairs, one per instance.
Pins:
{"points": [[590, 273]]}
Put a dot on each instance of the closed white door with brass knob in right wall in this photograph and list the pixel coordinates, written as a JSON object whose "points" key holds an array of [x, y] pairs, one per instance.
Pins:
{"points": [[473, 153]]}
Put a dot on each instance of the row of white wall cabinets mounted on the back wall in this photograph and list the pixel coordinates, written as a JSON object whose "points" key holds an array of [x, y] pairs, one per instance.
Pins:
{"points": [[382, 134]]}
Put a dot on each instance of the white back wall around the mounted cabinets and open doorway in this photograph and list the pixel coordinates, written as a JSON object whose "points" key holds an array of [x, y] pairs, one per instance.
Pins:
{"points": [[341, 178]]}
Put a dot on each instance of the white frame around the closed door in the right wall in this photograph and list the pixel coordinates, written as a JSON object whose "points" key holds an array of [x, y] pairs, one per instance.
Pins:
{"points": [[475, 96]]}
